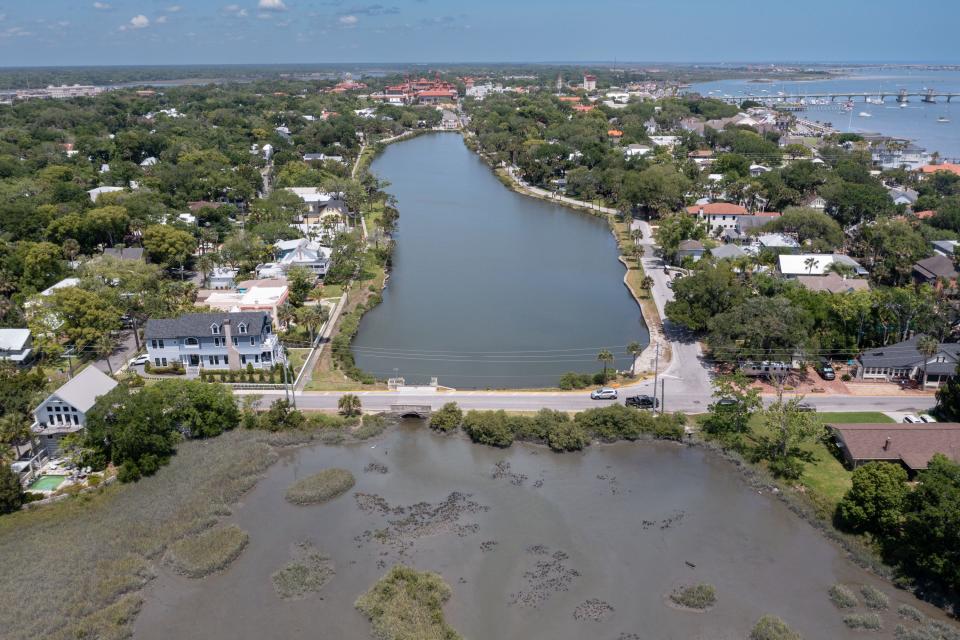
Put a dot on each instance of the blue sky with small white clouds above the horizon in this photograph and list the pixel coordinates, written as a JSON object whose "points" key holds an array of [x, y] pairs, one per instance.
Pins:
{"points": [[130, 32]]}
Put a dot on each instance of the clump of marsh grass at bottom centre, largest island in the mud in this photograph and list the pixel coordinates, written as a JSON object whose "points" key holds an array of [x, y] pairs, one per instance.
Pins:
{"points": [[408, 605]]}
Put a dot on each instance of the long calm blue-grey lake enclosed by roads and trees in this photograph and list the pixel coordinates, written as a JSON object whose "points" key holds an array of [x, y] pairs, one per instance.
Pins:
{"points": [[491, 289]]}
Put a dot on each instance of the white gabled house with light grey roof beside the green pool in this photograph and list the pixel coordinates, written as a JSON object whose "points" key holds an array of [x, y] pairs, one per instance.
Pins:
{"points": [[65, 410]]}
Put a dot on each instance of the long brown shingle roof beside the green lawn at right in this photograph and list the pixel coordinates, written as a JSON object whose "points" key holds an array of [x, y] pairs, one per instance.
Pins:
{"points": [[911, 444]]}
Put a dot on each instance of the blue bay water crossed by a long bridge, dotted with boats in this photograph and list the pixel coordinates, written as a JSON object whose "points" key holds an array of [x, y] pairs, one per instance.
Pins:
{"points": [[917, 122]]}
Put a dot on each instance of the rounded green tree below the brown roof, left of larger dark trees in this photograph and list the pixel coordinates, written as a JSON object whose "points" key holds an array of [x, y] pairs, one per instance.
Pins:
{"points": [[874, 503]]}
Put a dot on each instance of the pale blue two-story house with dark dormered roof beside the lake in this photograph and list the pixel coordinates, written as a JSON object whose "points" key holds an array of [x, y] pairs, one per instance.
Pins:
{"points": [[214, 341]]}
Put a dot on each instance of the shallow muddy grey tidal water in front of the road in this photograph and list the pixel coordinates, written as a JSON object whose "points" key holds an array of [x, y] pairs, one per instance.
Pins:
{"points": [[533, 545]]}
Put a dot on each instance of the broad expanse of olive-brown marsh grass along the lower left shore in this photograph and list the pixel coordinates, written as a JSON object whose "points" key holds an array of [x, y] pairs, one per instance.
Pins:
{"points": [[90, 554]]}
